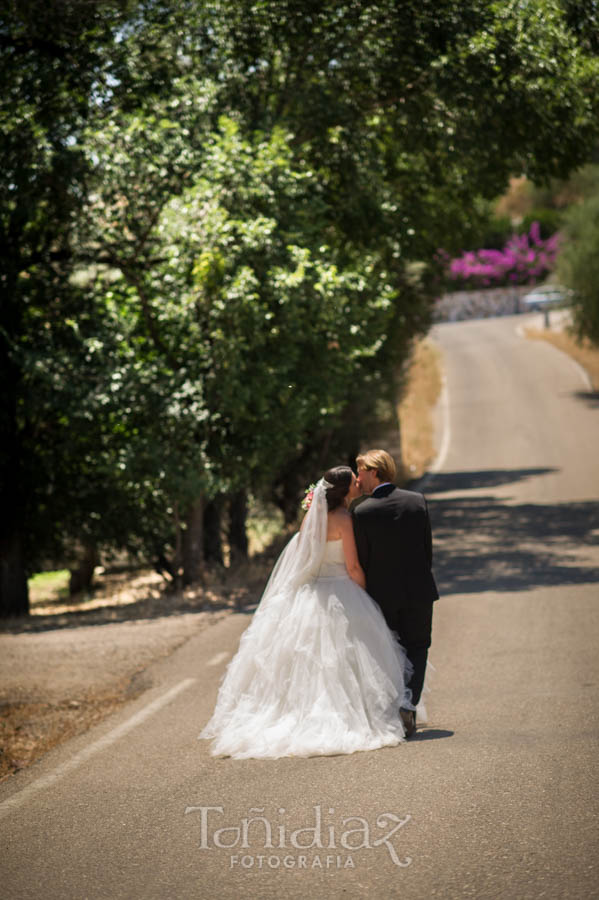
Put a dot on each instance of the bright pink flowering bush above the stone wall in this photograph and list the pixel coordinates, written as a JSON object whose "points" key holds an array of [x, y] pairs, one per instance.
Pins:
{"points": [[525, 259]]}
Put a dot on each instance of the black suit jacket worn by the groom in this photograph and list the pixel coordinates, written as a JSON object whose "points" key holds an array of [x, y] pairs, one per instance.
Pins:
{"points": [[395, 548]]}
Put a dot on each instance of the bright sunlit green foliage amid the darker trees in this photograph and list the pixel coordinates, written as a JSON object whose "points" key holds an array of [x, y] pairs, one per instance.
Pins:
{"points": [[240, 311]]}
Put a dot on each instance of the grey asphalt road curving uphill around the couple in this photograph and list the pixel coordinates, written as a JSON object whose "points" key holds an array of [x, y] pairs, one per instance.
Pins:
{"points": [[496, 798]]}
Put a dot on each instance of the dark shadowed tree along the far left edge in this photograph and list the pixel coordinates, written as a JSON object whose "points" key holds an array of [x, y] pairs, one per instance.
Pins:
{"points": [[53, 57]]}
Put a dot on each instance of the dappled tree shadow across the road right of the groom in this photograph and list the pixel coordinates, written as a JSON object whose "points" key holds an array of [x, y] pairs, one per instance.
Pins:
{"points": [[483, 543]]}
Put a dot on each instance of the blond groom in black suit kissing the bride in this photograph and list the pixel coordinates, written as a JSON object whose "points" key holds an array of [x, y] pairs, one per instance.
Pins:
{"points": [[394, 541]]}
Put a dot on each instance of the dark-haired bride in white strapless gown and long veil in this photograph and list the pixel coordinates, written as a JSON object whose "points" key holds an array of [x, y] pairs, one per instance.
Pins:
{"points": [[317, 671]]}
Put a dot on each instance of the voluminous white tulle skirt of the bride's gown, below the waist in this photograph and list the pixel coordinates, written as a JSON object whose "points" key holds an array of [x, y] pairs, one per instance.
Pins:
{"points": [[317, 672]]}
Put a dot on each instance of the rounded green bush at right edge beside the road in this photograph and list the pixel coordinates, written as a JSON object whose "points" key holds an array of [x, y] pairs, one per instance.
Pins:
{"points": [[578, 266]]}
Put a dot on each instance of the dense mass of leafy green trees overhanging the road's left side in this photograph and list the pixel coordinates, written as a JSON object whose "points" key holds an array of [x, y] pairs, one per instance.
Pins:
{"points": [[389, 120]]}
